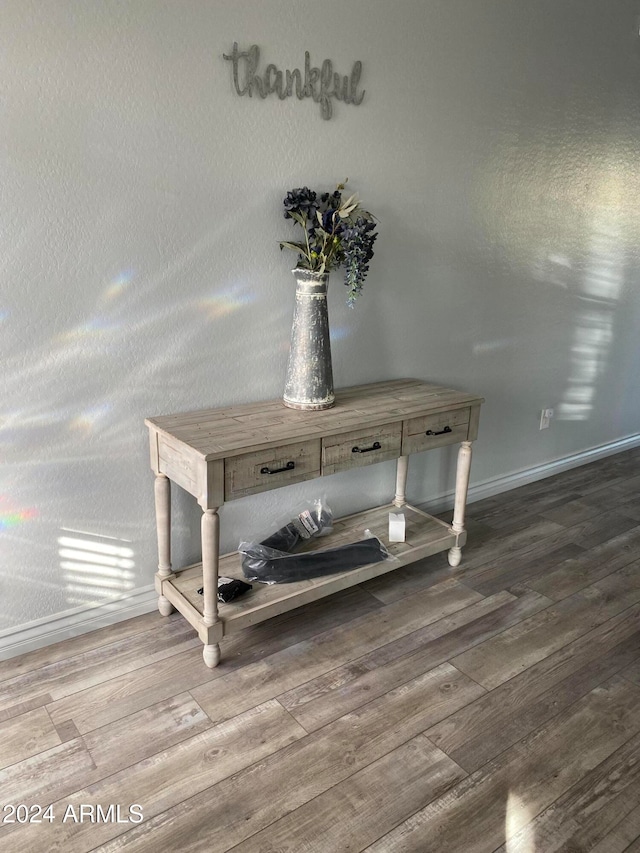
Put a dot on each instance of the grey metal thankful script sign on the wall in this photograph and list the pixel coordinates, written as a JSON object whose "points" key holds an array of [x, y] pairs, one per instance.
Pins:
{"points": [[323, 84]]}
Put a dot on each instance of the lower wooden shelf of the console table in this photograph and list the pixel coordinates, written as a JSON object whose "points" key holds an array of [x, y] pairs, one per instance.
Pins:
{"points": [[425, 536]]}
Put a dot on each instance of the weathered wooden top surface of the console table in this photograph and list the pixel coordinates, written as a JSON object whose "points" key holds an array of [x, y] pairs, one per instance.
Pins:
{"points": [[216, 433]]}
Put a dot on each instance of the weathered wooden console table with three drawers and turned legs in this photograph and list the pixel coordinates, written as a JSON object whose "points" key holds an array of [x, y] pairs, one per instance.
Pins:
{"points": [[220, 455]]}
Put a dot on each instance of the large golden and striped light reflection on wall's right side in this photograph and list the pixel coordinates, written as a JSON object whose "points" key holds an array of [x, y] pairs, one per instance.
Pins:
{"points": [[567, 218]]}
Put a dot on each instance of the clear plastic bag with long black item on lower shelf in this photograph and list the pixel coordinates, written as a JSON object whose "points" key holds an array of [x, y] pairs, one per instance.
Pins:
{"points": [[273, 561]]}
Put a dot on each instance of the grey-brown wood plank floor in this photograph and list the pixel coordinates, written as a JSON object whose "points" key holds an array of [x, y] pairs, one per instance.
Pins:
{"points": [[494, 707]]}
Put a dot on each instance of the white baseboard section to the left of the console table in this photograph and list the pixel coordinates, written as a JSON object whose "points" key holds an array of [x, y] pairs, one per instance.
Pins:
{"points": [[71, 623]]}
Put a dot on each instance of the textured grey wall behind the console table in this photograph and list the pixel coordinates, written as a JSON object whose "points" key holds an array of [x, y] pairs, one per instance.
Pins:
{"points": [[498, 143]]}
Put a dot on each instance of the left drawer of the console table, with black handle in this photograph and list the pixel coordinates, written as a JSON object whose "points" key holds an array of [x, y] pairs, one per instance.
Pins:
{"points": [[268, 469]]}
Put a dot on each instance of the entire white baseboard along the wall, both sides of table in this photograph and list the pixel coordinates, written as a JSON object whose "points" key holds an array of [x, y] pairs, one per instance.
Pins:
{"points": [[62, 626]]}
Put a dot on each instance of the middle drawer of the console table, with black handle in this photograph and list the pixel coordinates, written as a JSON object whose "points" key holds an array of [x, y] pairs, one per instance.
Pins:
{"points": [[355, 449]]}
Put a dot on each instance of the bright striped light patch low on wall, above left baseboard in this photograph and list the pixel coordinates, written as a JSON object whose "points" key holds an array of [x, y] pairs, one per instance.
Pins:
{"points": [[95, 569]]}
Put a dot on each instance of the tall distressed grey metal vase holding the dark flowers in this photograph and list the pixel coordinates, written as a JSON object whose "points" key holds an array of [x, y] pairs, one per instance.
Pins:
{"points": [[309, 382]]}
